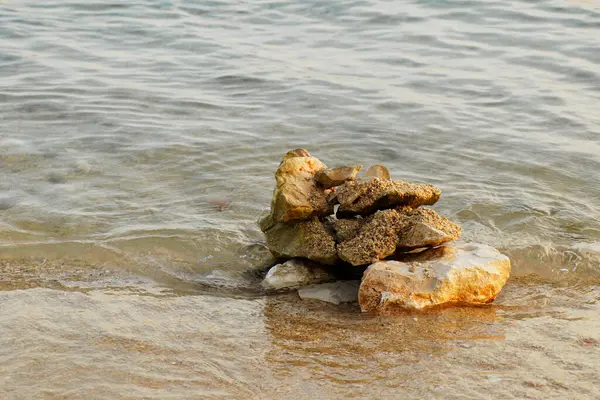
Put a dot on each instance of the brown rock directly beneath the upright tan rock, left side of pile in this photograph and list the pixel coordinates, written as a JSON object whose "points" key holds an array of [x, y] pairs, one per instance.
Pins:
{"points": [[303, 239]]}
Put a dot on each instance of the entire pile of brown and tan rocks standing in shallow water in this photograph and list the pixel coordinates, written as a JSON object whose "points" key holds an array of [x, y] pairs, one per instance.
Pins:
{"points": [[332, 217]]}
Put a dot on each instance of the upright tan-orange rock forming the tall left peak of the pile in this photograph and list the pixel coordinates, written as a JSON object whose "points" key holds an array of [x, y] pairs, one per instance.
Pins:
{"points": [[296, 195]]}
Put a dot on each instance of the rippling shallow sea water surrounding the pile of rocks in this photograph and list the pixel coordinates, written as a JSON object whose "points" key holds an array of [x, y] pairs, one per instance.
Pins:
{"points": [[137, 146]]}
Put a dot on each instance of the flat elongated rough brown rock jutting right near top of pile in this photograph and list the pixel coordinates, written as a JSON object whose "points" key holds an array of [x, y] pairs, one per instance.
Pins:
{"points": [[366, 197]]}
